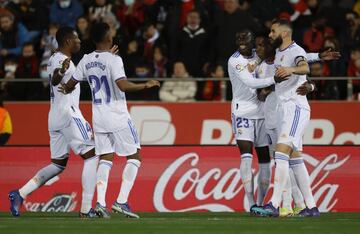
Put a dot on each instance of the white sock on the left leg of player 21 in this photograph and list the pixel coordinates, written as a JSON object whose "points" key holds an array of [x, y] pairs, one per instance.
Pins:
{"points": [[102, 180]]}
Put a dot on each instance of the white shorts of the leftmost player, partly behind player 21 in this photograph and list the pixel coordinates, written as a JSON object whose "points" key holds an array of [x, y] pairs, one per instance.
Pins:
{"points": [[77, 136]]}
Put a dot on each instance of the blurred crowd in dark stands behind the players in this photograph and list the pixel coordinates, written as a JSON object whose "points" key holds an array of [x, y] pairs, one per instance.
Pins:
{"points": [[175, 39]]}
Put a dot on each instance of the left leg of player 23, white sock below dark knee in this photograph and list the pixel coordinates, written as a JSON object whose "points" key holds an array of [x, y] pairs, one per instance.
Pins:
{"points": [[246, 151]]}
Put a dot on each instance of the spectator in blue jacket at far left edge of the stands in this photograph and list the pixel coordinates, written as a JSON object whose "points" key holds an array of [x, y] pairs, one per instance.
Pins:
{"points": [[13, 36]]}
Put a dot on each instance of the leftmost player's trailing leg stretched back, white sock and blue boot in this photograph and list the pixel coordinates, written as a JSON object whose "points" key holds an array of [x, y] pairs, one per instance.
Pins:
{"points": [[17, 197]]}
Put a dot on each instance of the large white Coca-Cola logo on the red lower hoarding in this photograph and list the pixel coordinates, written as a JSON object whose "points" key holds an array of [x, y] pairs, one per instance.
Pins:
{"points": [[222, 186]]}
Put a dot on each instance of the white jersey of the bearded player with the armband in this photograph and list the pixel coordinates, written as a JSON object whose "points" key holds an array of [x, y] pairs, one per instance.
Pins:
{"points": [[286, 90]]}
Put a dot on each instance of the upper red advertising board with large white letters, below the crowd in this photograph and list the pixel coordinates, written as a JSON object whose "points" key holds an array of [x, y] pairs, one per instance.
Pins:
{"points": [[204, 123]]}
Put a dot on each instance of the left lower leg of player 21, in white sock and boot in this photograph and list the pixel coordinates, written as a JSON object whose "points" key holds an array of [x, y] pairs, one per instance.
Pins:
{"points": [[105, 165]]}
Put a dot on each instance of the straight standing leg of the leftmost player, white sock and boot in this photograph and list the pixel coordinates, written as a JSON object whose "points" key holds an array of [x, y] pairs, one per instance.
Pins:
{"points": [[88, 180]]}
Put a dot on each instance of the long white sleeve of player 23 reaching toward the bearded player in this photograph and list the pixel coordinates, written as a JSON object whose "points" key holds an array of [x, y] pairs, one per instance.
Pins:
{"points": [[242, 73]]}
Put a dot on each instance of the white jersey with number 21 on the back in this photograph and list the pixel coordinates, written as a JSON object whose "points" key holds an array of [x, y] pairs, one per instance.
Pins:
{"points": [[102, 69]]}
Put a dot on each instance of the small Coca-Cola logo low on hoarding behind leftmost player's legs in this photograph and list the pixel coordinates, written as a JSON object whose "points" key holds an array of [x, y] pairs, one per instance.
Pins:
{"points": [[58, 203]]}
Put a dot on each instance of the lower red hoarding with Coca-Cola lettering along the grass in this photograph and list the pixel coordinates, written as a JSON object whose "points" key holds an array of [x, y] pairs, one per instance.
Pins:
{"points": [[181, 178]]}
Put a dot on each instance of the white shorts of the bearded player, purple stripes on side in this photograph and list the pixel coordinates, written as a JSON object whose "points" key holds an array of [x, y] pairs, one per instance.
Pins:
{"points": [[292, 122]]}
